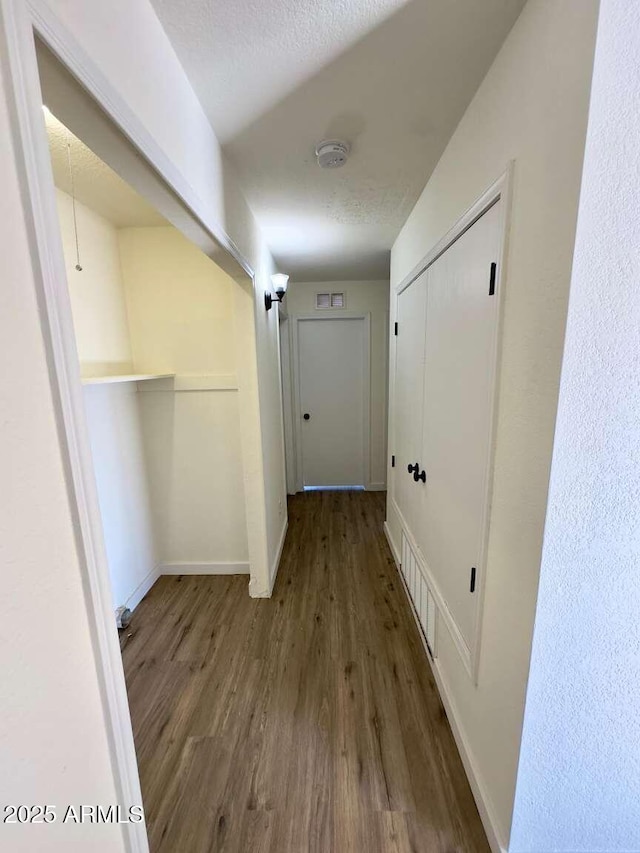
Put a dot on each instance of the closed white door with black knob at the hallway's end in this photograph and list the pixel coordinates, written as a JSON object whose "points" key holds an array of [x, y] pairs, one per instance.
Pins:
{"points": [[333, 380]]}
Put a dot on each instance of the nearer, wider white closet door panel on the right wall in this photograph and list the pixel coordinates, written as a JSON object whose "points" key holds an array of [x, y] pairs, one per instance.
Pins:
{"points": [[459, 373]]}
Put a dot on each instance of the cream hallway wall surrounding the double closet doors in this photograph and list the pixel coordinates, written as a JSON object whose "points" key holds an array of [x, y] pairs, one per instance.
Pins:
{"points": [[531, 107]]}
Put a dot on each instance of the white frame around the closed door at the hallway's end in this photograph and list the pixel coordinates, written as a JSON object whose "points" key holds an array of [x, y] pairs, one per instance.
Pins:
{"points": [[295, 369]]}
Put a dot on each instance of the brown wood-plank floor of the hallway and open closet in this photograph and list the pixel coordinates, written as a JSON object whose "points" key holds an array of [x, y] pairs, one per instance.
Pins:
{"points": [[307, 722]]}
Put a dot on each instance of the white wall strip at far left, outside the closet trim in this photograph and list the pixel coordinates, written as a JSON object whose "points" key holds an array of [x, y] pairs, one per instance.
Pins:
{"points": [[53, 739]]}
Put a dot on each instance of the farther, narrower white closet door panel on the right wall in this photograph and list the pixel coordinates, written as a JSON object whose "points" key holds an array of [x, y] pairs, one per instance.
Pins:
{"points": [[409, 389]]}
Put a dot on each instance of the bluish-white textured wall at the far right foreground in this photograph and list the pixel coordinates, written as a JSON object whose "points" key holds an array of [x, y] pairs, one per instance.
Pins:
{"points": [[579, 775]]}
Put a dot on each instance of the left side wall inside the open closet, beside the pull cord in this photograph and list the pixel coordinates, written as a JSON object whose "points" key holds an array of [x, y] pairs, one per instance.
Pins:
{"points": [[117, 443]]}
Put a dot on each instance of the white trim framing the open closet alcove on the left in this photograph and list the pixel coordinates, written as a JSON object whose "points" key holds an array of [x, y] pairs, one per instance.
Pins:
{"points": [[20, 22]]}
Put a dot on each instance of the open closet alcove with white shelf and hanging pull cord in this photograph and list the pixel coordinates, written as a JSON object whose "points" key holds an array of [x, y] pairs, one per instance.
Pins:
{"points": [[155, 327]]}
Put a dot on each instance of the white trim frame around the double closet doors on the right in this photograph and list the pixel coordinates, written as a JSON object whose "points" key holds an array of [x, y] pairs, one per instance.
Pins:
{"points": [[500, 190]]}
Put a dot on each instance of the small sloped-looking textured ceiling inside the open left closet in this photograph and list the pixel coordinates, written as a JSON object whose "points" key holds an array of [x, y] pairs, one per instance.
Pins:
{"points": [[95, 184]]}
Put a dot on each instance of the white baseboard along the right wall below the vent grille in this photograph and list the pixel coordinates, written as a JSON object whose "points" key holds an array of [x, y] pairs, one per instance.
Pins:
{"points": [[485, 808]]}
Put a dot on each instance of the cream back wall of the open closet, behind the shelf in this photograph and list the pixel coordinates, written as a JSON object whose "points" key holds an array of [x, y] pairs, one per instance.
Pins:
{"points": [[182, 320]]}
